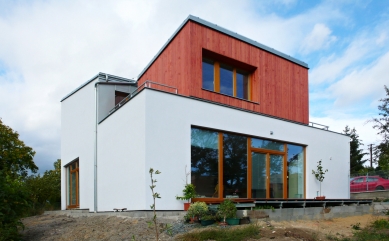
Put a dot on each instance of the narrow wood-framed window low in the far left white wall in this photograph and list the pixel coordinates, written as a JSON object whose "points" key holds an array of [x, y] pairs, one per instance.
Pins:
{"points": [[73, 185]]}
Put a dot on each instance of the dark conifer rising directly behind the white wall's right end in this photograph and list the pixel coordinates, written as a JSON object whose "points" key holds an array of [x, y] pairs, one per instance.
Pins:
{"points": [[356, 152]]}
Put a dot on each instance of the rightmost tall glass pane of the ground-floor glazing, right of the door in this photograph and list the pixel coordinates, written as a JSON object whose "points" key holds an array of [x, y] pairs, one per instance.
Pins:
{"points": [[295, 171]]}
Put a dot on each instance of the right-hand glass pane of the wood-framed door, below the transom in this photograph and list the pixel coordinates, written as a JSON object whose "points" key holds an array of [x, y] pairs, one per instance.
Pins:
{"points": [[276, 176]]}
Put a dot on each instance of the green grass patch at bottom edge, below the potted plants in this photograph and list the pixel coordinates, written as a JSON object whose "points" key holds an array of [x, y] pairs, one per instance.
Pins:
{"points": [[219, 234]]}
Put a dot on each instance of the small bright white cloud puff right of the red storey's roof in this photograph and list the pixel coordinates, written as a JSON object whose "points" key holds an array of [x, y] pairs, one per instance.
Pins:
{"points": [[319, 38]]}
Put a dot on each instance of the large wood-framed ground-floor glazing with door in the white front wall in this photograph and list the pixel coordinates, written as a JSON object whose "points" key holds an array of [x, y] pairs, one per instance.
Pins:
{"points": [[226, 165]]}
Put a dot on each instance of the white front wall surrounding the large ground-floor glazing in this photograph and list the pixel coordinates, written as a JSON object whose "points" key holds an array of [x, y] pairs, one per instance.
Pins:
{"points": [[168, 137]]}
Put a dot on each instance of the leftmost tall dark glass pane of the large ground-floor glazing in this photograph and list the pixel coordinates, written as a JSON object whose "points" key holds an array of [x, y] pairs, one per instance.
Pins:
{"points": [[204, 162]]}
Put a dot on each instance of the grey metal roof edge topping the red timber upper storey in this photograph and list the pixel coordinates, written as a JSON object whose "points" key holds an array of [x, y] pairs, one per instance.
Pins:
{"points": [[227, 32]]}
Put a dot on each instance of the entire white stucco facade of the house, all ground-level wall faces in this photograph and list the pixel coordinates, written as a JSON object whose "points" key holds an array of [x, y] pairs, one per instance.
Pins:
{"points": [[153, 130]]}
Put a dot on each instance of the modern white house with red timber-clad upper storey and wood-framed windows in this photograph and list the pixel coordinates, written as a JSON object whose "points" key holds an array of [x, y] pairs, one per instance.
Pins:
{"points": [[229, 110]]}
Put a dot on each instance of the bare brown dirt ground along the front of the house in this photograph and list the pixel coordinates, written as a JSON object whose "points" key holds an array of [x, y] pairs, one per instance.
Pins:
{"points": [[59, 227]]}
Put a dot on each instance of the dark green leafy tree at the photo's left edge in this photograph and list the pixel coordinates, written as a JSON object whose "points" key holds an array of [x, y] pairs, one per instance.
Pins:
{"points": [[16, 160]]}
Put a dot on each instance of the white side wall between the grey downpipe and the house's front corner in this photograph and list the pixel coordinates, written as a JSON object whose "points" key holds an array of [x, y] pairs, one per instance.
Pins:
{"points": [[121, 158]]}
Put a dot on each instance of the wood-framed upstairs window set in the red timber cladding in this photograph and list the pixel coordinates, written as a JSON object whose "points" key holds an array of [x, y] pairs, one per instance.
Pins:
{"points": [[225, 79]]}
